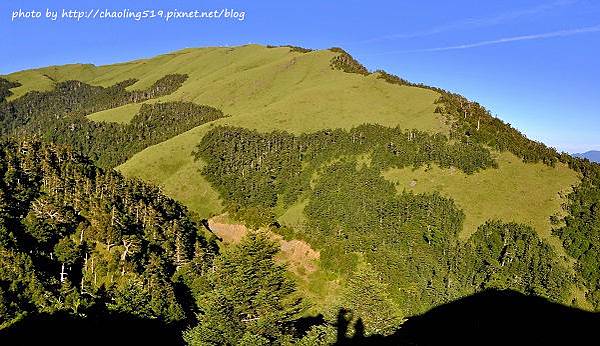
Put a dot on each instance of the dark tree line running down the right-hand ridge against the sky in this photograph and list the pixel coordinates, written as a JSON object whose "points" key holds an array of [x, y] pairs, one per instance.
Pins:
{"points": [[579, 230]]}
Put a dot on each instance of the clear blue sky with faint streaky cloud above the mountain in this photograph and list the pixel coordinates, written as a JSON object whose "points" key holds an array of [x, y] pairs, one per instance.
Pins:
{"points": [[536, 64]]}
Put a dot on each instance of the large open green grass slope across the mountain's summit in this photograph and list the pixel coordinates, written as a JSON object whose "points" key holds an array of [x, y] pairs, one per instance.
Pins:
{"points": [[266, 88]]}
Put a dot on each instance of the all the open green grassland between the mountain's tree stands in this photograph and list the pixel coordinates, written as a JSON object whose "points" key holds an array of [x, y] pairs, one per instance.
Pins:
{"points": [[276, 88]]}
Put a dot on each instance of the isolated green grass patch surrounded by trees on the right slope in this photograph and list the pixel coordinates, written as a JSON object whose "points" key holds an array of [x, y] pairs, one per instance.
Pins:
{"points": [[519, 192]]}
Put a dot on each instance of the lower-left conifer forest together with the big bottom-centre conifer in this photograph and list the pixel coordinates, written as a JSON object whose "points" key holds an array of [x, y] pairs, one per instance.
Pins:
{"points": [[78, 240]]}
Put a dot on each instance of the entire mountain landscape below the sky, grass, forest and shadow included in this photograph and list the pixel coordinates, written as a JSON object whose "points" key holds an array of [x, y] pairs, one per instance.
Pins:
{"points": [[278, 195]]}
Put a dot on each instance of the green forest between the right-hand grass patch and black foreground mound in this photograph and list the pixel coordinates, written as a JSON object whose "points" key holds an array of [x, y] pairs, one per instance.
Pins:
{"points": [[412, 240]]}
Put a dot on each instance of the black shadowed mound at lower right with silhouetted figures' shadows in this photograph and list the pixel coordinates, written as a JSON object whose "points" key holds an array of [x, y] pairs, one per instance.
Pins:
{"points": [[491, 317]]}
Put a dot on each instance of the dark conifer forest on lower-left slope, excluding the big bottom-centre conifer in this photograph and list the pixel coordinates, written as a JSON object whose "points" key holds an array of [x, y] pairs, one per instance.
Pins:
{"points": [[72, 236]]}
